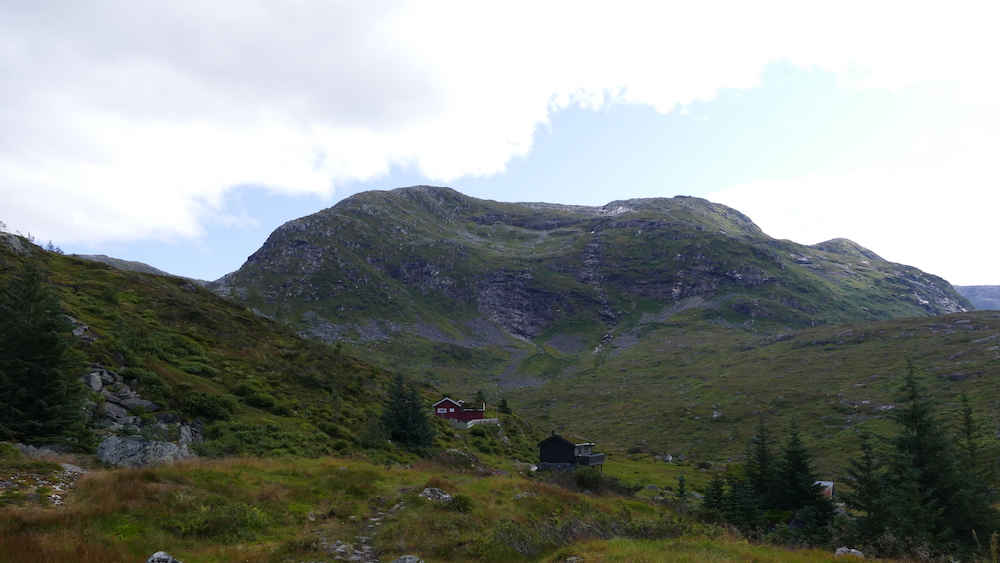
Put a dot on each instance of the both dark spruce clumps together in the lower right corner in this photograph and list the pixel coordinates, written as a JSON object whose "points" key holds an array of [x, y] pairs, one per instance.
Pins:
{"points": [[924, 491]]}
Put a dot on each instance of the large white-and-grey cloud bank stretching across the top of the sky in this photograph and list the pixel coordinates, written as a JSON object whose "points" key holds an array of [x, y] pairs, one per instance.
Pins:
{"points": [[129, 120]]}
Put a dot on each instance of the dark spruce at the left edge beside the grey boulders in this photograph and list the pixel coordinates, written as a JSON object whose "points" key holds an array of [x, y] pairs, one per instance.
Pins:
{"points": [[41, 393]]}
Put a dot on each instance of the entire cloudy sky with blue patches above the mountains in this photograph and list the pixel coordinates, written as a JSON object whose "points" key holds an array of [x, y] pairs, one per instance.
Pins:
{"points": [[180, 134]]}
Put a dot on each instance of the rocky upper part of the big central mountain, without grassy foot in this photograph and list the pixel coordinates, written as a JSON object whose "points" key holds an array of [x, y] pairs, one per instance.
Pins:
{"points": [[432, 262]]}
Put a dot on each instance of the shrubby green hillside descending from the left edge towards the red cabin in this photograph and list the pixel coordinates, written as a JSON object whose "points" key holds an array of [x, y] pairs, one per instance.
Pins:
{"points": [[259, 387]]}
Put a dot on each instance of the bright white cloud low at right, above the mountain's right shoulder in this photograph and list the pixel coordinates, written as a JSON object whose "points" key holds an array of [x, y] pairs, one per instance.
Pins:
{"points": [[934, 207]]}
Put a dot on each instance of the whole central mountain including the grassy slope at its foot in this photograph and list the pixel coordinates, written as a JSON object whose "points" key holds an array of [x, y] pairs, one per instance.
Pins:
{"points": [[634, 322]]}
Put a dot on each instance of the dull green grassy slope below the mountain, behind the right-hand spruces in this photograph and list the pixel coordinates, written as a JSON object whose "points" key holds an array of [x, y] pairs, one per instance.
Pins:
{"points": [[695, 388]]}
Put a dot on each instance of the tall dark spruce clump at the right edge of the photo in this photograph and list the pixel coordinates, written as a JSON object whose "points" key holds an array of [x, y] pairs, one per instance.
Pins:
{"points": [[929, 488]]}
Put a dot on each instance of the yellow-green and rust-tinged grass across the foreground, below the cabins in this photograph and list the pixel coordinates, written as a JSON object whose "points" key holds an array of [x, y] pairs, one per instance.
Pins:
{"points": [[275, 511]]}
